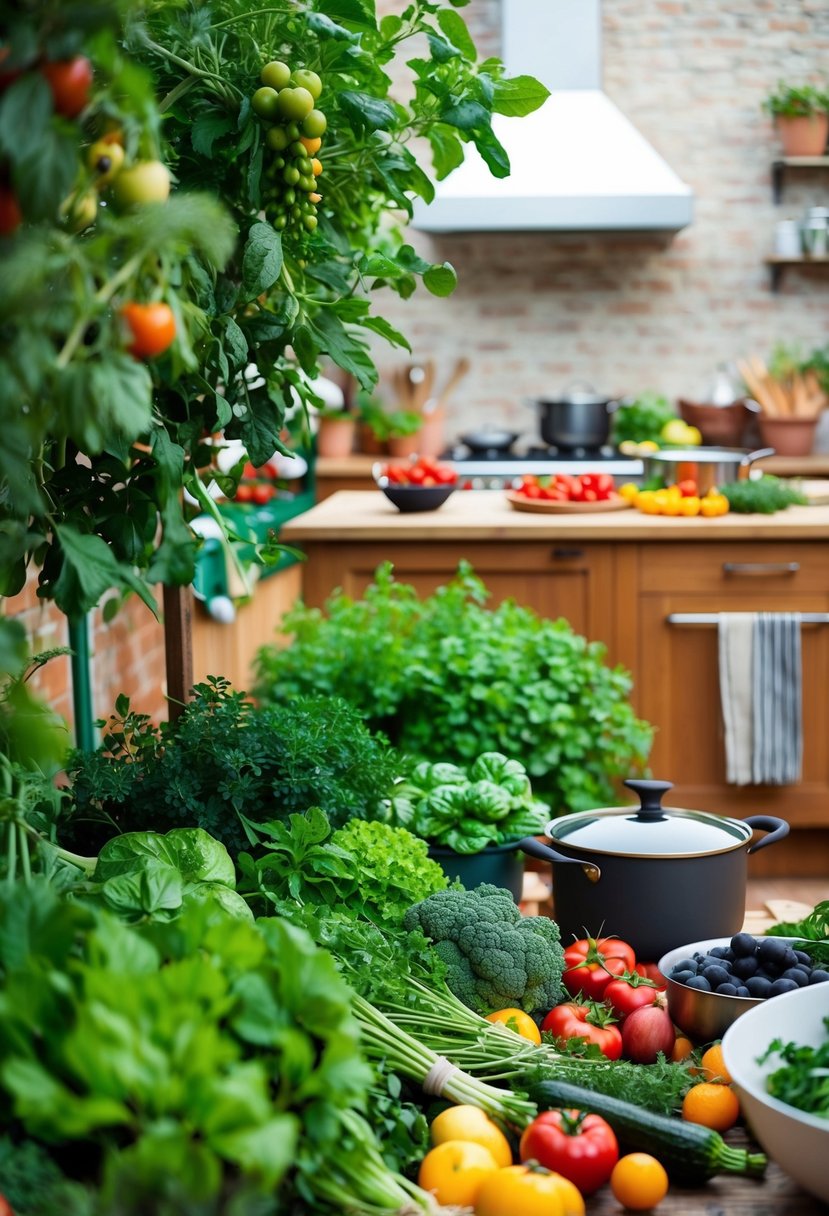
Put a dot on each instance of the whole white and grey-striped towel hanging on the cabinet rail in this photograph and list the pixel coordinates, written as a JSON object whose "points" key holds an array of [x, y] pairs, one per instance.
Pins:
{"points": [[762, 696]]}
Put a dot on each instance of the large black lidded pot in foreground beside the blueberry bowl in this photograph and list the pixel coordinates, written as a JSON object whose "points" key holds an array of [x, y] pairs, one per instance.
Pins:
{"points": [[657, 877]]}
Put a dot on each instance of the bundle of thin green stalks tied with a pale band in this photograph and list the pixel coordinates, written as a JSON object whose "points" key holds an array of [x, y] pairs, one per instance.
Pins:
{"points": [[384, 1039]]}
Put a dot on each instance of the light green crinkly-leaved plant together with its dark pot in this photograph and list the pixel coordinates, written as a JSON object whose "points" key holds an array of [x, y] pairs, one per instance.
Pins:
{"points": [[472, 819]]}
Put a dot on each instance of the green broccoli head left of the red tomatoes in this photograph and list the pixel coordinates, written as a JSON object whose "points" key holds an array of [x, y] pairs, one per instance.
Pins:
{"points": [[495, 958]]}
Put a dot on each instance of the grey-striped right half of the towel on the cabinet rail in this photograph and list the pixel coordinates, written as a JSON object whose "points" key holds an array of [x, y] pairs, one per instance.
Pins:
{"points": [[779, 739]]}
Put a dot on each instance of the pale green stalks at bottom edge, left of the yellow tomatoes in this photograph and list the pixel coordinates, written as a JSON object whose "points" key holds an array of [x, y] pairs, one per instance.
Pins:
{"points": [[354, 1178]]}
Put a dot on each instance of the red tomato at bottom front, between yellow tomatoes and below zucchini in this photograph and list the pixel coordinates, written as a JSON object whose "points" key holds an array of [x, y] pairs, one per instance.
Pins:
{"points": [[578, 1146]]}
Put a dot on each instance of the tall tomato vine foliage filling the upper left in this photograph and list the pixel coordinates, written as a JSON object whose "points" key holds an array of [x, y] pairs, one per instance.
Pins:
{"points": [[100, 447]]}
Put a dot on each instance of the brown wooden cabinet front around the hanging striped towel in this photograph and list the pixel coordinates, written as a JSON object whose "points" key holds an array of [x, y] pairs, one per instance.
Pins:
{"points": [[679, 684]]}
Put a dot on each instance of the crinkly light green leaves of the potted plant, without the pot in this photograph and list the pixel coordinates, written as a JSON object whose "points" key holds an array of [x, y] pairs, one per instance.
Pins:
{"points": [[492, 804]]}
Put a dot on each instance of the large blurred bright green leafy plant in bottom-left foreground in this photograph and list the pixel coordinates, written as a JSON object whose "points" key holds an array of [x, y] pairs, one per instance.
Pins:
{"points": [[183, 1065]]}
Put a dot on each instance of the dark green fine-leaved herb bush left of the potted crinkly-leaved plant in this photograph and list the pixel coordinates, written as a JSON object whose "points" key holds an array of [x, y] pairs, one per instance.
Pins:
{"points": [[224, 762]]}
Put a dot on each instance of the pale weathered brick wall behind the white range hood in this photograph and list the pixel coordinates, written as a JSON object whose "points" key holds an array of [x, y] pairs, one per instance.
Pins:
{"points": [[538, 311]]}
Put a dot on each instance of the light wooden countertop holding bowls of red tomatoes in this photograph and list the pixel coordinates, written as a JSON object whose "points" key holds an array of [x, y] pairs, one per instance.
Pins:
{"points": [[487, 515]]}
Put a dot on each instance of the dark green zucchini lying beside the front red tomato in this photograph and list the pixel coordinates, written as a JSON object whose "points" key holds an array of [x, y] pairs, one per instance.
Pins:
{"points": [[691, 1155]]}
